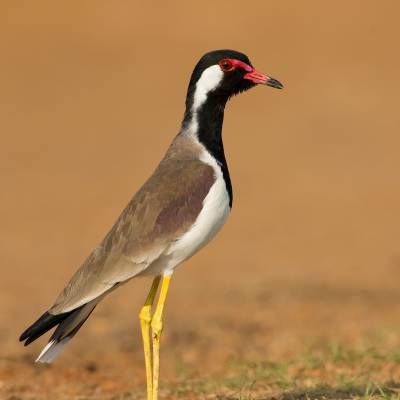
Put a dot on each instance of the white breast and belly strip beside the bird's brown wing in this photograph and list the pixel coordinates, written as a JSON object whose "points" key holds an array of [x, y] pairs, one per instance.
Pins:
{"points": [[210, 220]]}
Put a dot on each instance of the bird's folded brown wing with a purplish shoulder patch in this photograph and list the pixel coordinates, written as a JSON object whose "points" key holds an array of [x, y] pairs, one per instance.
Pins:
{"points": [[163, 209]]}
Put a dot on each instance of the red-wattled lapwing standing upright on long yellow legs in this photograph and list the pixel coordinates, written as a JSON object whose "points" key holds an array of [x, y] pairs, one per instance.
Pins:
{"points": [[176, 212]]}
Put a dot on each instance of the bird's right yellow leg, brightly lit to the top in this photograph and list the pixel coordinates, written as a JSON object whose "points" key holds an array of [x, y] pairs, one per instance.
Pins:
{"points": [[156, 326]]}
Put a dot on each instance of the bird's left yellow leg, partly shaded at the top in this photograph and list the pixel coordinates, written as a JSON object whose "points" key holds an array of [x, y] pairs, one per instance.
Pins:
{"points": [[145, 320]]}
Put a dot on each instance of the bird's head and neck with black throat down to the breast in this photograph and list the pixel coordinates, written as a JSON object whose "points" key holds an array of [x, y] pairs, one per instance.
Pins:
{"points": [[217, 76]]}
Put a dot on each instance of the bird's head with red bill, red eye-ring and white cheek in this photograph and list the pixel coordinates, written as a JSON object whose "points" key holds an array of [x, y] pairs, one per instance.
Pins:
{"points": [[225, 73]]}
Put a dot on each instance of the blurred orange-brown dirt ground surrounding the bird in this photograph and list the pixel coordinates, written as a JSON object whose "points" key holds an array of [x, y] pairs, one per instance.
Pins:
{"points": [[298, 296]]}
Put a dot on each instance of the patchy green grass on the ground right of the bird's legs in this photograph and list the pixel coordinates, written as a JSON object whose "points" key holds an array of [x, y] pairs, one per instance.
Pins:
{"points": [[335, 372]]}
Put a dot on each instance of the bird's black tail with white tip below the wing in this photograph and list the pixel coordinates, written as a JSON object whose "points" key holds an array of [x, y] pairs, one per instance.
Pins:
{"points": [[68, 325]]}
